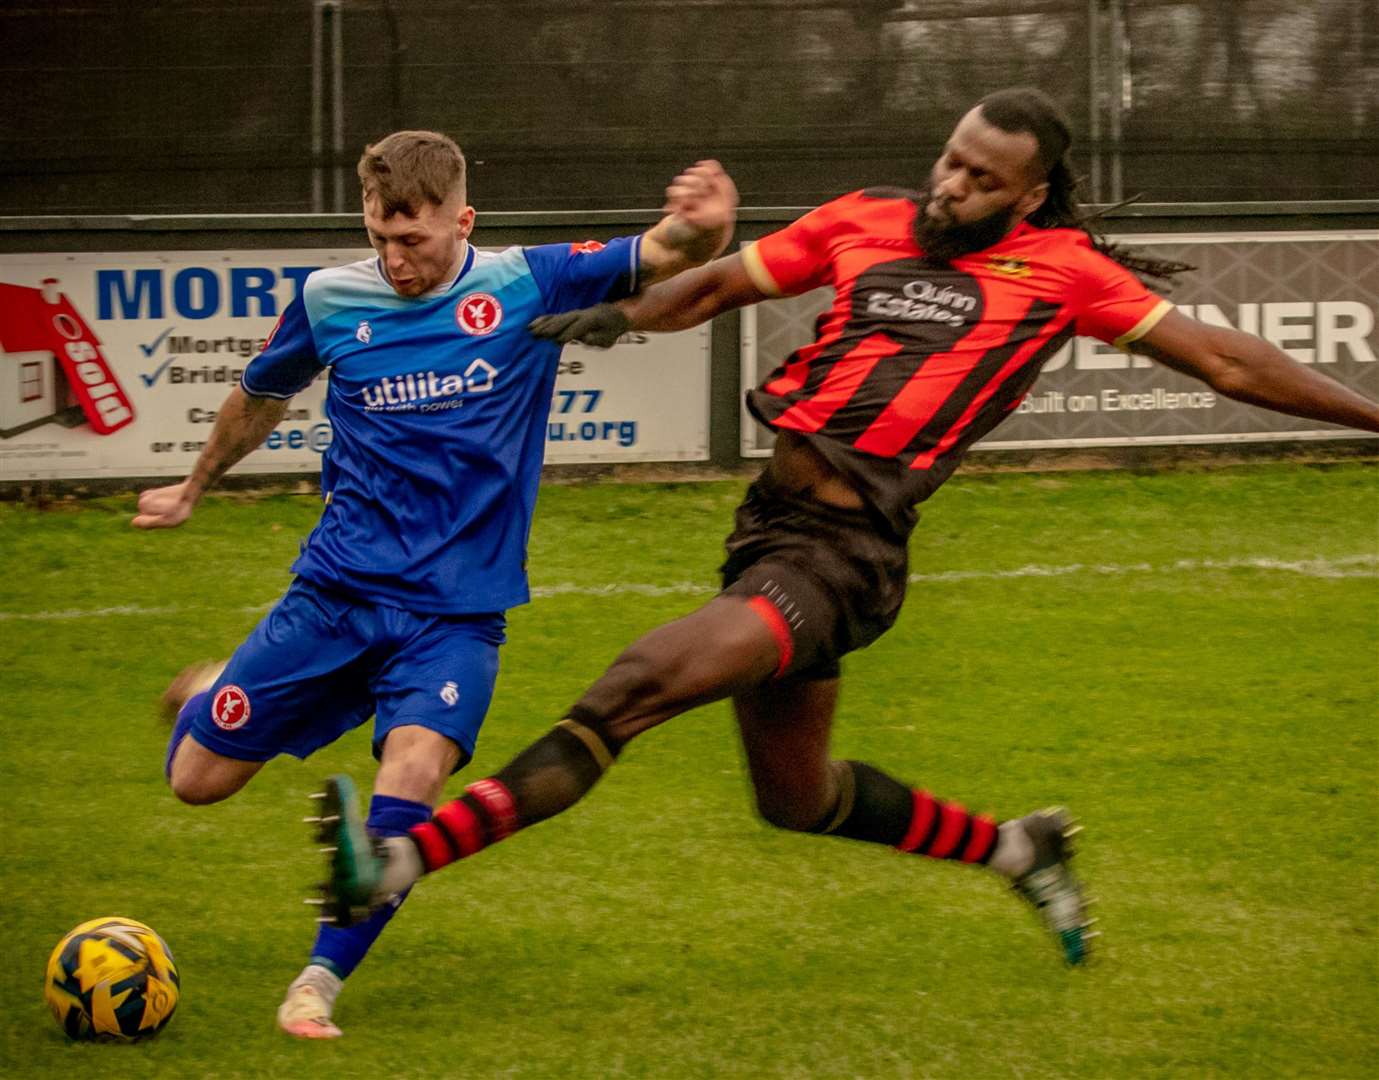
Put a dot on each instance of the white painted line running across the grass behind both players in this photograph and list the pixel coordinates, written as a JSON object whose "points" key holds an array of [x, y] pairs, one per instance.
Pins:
{"points": [[1351, 566]]}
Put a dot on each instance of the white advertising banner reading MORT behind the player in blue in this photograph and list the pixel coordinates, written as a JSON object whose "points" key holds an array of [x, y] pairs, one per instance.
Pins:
{"points": [[115, 365]]}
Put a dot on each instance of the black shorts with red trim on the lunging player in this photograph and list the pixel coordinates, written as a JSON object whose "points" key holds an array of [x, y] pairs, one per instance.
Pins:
{"points": [[827, 580]]}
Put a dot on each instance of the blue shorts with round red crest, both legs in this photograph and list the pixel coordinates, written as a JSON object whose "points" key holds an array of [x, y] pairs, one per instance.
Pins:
{"points": [[321, 664]]}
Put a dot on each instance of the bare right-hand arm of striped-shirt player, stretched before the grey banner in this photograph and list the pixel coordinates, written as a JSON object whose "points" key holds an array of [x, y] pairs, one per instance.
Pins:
{"points": [[1249, 369]]}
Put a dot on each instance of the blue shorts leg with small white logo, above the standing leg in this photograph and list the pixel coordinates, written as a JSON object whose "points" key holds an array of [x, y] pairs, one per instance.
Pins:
{"points": [[442, 679]]}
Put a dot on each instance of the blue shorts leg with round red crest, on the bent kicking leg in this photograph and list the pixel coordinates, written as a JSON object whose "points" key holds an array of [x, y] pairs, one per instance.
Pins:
{"points": [[297, 683]]}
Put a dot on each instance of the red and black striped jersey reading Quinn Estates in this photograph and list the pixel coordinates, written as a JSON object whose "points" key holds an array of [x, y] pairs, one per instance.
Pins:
{"points": [[916, 361]]}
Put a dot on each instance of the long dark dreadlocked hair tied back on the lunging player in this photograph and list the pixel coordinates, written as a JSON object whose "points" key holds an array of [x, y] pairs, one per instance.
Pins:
{"points": [[1027, 110]]}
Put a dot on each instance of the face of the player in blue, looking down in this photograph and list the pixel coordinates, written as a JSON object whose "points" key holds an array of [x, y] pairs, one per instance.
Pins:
{"points": [[421, 252]]}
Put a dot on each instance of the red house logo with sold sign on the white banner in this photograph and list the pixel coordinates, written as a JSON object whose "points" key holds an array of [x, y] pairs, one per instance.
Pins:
{"points": [[52, 369]]}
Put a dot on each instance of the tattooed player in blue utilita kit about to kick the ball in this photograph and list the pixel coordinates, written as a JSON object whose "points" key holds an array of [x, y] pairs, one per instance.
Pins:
{"points": [[438, 399]]}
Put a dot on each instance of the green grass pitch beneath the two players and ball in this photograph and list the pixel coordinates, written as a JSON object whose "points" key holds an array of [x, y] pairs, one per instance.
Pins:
{"points": [[1187, 660]]}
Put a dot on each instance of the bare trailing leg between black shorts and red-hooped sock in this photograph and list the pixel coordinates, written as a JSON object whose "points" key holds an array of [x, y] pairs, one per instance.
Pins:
{"points": [[785, 730]]}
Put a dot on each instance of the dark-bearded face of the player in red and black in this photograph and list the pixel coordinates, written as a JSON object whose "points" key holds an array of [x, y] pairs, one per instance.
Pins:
{"points": [[984, 184]]}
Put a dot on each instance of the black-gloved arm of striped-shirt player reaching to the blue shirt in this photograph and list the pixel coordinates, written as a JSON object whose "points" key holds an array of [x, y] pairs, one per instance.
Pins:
{"points": [[685, 301]]}
